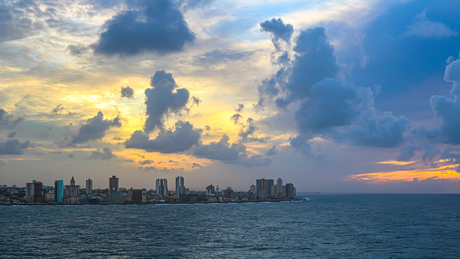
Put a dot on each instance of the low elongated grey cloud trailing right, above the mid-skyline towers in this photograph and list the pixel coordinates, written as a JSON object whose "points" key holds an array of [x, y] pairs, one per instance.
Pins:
{"points": [[230, 154]]}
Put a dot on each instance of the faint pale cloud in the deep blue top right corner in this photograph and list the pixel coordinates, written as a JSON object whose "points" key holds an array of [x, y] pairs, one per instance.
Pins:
{"points": [[427, 29]]}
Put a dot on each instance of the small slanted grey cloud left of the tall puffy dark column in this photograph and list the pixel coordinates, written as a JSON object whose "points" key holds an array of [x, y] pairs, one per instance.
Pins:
{"points": [[95, 128]]}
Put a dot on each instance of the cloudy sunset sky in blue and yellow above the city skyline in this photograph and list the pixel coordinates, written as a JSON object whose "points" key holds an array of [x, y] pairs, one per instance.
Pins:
{"points": [[353, 96]]}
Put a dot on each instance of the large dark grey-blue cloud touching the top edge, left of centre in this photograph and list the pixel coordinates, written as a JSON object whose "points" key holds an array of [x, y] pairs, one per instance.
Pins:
{"points": [[148, 26]]}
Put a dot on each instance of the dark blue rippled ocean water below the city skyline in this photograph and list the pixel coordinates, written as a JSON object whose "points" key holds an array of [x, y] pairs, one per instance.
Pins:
{"points": [[326, 226]]}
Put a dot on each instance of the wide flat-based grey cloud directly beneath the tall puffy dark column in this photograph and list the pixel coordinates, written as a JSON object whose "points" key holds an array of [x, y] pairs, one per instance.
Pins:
{"points": [[181, 139]]}
